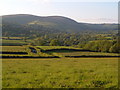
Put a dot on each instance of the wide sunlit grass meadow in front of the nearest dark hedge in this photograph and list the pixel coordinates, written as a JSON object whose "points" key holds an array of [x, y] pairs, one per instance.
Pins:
{"points": [[60, 73]]}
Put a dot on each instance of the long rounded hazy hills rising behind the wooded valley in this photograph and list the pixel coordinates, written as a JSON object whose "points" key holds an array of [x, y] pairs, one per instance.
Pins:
{"points": [[24, 23]]}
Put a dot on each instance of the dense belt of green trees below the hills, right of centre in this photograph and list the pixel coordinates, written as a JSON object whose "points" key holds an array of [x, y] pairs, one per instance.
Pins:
{"points": [[85, 41]]}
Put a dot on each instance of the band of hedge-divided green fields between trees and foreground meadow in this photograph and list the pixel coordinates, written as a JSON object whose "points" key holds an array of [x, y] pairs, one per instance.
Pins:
{"points": [[47, 51]]}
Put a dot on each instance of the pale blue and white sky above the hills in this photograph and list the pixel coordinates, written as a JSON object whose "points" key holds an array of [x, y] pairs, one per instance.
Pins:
{"points": [[88, 11]]}
